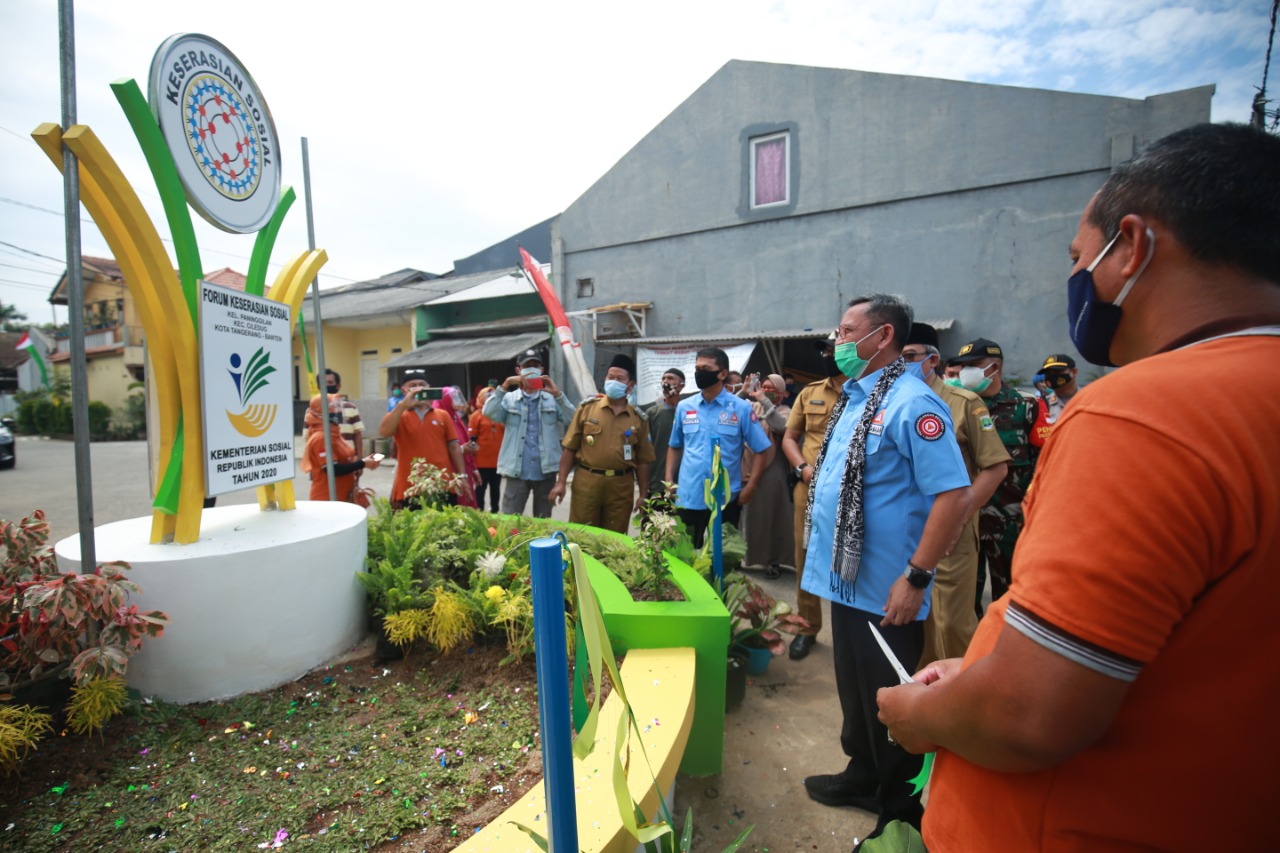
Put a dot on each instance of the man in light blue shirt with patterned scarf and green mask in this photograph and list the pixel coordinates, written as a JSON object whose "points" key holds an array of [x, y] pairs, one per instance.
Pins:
{"points": [[888, 501]]}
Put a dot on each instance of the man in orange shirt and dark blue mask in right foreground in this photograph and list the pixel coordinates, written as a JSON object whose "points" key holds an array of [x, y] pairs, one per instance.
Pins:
{"points": [[1119, 697]]}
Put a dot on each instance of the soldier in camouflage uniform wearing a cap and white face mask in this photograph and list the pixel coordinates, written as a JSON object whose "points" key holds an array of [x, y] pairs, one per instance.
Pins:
{"points": [[1002, 519]]}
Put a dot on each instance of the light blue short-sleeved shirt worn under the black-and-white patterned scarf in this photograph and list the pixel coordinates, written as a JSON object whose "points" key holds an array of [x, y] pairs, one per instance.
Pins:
{"points": [[912, 455]]}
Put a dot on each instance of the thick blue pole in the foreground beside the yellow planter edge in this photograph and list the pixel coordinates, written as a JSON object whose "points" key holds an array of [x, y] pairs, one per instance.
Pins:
{"points": [[547, 568]]}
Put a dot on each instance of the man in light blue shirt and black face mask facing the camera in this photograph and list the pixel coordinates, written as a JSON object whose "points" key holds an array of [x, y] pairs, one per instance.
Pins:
{"points": [[711, 419]]}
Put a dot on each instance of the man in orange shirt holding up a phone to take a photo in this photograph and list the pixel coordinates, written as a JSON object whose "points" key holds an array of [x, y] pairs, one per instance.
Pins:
{"points": [[422, 432]]}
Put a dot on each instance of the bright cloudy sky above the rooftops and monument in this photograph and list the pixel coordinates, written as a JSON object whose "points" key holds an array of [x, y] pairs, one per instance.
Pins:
{"points": [[440, 129]]}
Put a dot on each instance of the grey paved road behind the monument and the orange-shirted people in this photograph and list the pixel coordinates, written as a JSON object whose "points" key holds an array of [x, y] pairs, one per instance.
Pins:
{"points": [[45, 478]]}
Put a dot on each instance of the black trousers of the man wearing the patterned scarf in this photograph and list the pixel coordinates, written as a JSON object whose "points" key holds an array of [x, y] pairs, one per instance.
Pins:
{"points": [[862, 669]]}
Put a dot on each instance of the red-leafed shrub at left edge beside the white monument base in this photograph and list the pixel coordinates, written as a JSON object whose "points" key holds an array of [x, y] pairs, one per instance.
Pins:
{"points": [[52, 621]]}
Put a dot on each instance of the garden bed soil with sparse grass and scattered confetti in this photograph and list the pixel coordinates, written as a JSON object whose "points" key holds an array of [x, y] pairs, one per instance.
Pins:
{"points": [[362, 755]]}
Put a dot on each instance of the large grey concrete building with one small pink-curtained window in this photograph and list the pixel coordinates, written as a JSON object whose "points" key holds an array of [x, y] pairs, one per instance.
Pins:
{"points": [[775, 194]]}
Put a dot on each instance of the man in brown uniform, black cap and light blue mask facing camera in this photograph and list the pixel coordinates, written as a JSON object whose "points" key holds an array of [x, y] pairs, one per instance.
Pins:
{"points": [[609, 441]]}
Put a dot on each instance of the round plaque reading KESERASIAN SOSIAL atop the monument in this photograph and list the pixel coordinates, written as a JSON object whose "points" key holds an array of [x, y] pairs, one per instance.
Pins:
{"points": [[220, 131]]}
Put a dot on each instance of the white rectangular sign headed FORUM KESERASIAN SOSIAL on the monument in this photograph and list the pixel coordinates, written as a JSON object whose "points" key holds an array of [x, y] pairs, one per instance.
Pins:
{"points": [[245, 390]]}
